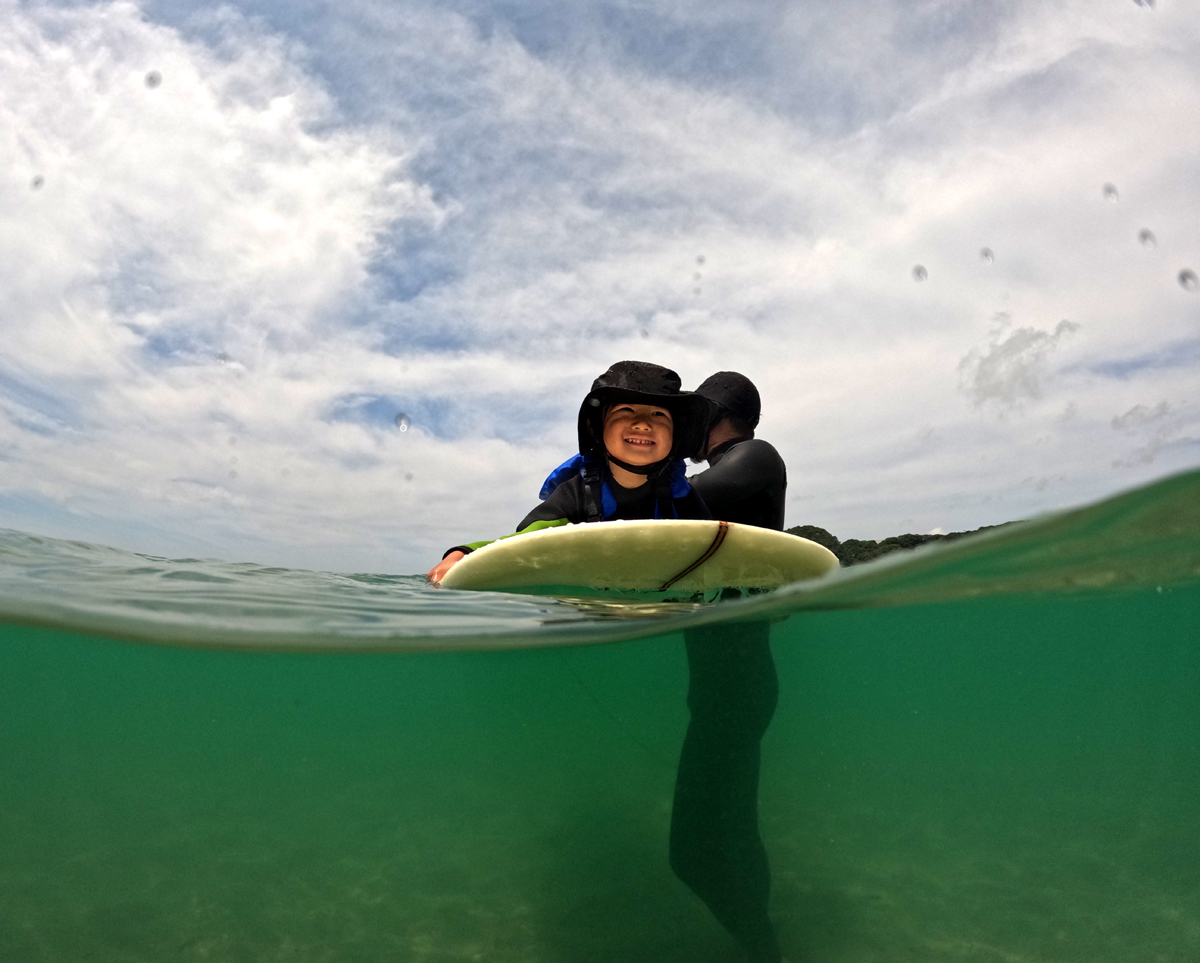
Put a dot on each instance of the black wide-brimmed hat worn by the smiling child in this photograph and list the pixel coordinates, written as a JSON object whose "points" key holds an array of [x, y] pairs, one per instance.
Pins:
{"points": [[644, 384]]}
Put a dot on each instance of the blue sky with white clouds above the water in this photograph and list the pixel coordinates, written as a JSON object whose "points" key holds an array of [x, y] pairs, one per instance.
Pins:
{"points": [[950, 241]]}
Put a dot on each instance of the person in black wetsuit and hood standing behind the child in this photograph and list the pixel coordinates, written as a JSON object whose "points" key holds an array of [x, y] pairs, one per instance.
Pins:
{"points": [[716, 846]]}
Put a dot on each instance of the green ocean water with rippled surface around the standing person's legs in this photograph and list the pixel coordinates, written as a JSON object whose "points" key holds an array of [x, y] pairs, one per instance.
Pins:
{"points": [[983, 751]]}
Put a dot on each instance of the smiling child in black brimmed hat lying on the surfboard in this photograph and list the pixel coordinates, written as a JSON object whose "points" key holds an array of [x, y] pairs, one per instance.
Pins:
{"points": [[621, 471]]}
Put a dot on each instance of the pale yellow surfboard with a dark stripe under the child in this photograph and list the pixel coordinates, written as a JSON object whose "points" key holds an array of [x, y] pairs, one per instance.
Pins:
{"points": [[683, 558]]}
